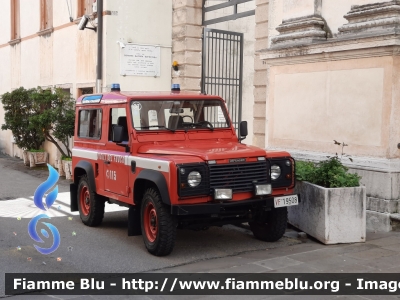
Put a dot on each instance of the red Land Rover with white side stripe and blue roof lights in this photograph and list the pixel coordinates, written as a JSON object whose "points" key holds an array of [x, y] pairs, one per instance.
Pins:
{"points": [[174, 159]]}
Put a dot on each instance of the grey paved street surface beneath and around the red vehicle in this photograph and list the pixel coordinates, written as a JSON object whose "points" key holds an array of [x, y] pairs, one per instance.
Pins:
{"points": [[219, 250]]}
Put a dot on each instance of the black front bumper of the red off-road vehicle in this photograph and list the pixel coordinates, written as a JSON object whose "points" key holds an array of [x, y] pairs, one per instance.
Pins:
{"points": [[217, 208]]}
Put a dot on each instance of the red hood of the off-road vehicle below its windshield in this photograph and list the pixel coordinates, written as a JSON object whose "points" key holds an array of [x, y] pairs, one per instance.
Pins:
{"points": [[205, 150]]}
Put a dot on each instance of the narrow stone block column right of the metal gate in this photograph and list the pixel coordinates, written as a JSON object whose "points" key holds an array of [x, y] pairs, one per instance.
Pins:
{"points": [[260, 73]]}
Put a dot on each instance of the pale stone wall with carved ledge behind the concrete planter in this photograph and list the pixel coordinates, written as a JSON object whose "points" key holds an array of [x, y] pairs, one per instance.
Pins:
{"points": [[326, 84]]}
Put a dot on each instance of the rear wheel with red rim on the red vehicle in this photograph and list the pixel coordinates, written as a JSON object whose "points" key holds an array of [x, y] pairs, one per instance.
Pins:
{"points": [[90, 205]]}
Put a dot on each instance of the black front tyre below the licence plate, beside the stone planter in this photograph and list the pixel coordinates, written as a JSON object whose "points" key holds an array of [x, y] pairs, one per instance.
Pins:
{"points": [[272, 227]]}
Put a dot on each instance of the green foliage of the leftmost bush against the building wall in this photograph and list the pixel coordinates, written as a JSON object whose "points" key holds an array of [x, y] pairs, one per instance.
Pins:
{"points": [[19, 110]]}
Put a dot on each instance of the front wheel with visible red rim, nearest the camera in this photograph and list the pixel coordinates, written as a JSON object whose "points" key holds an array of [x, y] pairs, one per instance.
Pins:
{"points": [[158, 225]]}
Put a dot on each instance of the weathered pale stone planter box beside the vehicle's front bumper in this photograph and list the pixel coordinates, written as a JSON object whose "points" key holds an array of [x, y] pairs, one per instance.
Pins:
{"points": [[331, 215]]}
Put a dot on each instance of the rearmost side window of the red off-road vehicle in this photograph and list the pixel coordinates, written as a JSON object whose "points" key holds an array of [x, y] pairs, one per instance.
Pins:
{"points": [[90, 123]]}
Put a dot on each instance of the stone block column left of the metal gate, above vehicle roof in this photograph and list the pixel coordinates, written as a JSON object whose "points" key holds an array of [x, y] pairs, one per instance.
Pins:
{"points": [[187, 43]]}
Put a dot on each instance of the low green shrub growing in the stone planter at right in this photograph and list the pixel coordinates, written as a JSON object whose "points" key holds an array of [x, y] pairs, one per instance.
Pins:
{"points": [[330, 173]]}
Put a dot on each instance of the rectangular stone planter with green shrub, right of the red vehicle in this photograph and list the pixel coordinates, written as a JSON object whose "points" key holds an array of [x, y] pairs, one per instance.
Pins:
{"points": [[333, 204]]}
